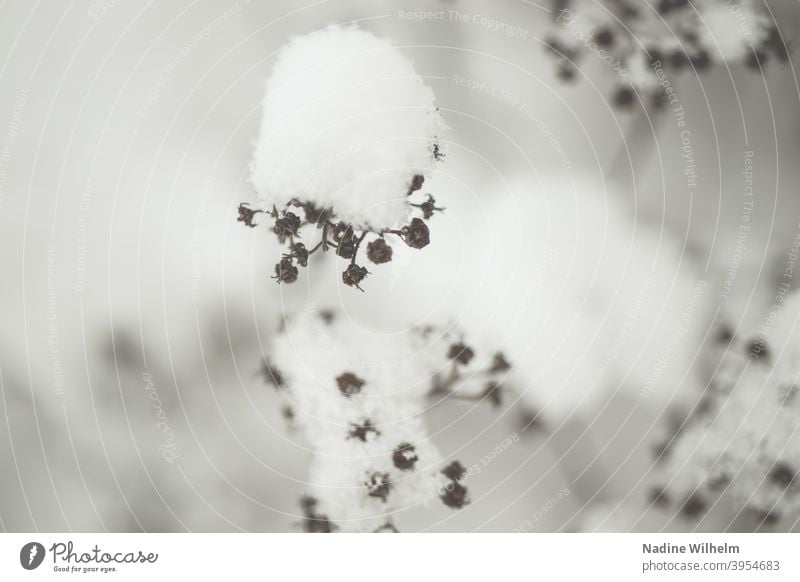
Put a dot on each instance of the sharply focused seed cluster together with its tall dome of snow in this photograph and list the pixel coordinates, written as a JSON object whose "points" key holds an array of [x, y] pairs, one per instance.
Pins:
{"points": [[348, 133]]}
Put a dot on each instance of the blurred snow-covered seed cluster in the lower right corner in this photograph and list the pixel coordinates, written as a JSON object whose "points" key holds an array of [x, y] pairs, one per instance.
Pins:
{"points": [[743, 440]]}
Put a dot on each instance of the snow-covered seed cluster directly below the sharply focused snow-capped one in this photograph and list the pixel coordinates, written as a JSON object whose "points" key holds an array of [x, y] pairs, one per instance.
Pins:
{"points": [[358, 398]]}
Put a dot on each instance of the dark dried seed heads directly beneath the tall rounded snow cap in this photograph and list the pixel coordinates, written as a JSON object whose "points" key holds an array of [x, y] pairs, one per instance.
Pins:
{"points": [[344, 239]]}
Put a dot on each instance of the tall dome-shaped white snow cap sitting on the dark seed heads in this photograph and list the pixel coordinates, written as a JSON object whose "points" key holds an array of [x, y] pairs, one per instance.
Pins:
{"points": [[347, 123]]}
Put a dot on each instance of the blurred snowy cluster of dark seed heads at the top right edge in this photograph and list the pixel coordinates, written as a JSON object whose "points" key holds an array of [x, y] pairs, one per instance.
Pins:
{"points": [[642, 41]]}
